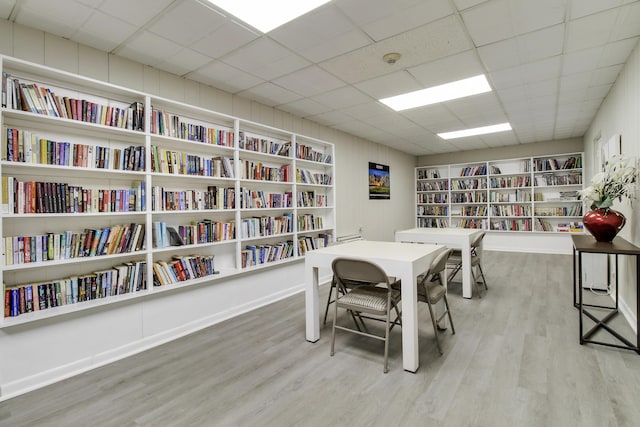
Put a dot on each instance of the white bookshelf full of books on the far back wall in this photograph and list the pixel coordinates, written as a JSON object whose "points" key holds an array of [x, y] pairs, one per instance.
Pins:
{"points": [[533, 194]]}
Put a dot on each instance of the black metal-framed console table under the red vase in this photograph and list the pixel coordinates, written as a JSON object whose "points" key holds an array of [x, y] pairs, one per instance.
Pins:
{"points": [[584, 243]]}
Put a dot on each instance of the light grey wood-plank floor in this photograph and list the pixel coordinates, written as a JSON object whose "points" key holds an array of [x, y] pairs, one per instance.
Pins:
{"points": [[514, 361]]}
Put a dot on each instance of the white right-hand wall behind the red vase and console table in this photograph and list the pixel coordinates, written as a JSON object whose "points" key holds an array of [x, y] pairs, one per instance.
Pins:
{"points": [[620, 114]]}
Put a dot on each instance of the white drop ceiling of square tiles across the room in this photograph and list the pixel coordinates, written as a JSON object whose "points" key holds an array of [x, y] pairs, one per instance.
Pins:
{"points": [[550, 63]]}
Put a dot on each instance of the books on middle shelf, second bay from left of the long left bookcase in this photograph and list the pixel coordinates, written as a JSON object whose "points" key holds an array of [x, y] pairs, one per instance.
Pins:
{"points": [[190, 200]]}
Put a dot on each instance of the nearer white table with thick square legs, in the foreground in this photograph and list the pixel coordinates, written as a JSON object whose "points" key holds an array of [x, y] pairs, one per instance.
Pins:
{"points": [[402, 260]]}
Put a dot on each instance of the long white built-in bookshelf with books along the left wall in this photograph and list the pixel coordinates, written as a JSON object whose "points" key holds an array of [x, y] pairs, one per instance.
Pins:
{"points": [[111, 194]]}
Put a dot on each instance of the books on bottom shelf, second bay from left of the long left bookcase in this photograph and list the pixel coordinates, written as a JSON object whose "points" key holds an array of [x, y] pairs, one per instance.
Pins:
{"points": [[182, 268]]}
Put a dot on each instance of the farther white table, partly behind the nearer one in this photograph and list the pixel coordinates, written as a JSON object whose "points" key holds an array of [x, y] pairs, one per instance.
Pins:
{"points": [[455, 238]]}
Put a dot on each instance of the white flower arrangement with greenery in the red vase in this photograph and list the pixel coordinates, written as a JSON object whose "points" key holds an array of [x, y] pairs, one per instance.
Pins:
{"points": [[615, 182]]}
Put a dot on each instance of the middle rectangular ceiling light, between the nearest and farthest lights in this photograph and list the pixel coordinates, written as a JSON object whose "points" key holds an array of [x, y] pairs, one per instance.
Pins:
{"points": [[445, 92]]}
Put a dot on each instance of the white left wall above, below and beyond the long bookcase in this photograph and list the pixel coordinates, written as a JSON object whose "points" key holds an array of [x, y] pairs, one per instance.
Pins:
{"points": [[32, 355]]}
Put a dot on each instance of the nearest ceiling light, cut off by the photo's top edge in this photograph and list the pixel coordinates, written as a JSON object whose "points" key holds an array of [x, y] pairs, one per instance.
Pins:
{"points": [[265, 15]]}
